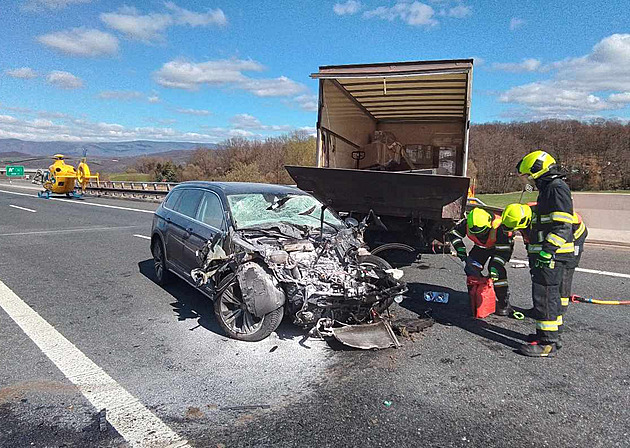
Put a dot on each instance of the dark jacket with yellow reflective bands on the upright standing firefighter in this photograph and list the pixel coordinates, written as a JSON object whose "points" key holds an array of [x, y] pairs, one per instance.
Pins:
{"points": [[552, 228]]}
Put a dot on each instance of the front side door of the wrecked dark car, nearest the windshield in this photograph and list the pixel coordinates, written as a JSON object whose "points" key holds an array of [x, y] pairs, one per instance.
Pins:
{"points": [[208, 222]]}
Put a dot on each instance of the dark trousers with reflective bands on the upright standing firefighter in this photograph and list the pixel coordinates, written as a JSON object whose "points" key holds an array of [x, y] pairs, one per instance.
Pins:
{"points": [[546, 294]]}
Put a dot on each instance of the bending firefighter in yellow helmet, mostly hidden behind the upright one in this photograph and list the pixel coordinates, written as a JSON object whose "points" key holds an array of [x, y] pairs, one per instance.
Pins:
{"points": [[518, 217]]}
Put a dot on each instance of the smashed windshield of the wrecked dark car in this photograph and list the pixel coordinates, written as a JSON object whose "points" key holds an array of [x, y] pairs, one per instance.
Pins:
{"points": [[260, 209]]}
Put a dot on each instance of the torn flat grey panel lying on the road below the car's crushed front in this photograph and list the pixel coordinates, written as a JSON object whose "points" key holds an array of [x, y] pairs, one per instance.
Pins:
{"points": [[378, 335]]}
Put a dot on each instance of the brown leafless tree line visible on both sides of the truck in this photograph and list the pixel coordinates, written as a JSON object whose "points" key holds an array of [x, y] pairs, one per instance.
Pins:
{"points": [[594, 154]]}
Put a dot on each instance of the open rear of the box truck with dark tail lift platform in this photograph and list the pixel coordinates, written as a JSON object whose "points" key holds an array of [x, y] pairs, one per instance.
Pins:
{"points": [[376, 121]]}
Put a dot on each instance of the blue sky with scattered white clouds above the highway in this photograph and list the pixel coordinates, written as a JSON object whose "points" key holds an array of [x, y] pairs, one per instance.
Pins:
{"points": [[192, 70]]}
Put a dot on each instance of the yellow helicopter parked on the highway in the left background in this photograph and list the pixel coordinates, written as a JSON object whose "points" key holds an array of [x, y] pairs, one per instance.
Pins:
{"points": [[64, 179]]}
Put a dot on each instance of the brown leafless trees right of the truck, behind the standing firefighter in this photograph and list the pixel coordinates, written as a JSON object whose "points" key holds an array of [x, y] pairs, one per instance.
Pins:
{"points": [[595, 155]]}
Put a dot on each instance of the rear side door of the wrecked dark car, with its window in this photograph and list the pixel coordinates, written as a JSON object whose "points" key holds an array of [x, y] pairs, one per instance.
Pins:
{"points": [[181, 224]]}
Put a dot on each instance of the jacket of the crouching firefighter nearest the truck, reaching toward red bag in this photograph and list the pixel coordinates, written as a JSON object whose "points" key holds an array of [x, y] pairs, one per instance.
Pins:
{"points": [[498, 238]]}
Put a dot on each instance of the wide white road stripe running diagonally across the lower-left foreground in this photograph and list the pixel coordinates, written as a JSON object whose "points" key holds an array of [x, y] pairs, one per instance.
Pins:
{"points": [[133, 421]]}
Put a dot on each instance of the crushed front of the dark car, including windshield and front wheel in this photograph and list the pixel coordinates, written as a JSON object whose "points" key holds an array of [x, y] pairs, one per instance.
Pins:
{"points": [[288, 252]]}
